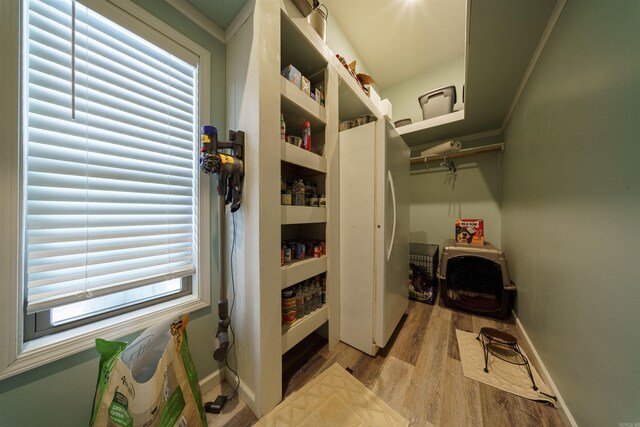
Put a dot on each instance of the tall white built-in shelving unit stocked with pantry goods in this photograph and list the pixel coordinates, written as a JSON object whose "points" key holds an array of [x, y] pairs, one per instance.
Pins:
{"points": [[267, 37]]}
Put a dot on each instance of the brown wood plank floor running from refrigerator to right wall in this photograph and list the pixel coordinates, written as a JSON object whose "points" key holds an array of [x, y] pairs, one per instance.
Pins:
{"points": [[419, 374]]}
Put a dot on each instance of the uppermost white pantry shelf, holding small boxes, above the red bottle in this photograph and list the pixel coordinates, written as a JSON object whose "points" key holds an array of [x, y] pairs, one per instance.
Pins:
{"points": [[298, 107]]}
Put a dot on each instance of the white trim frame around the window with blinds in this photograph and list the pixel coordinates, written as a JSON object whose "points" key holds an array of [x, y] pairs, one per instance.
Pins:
{"points": [[16, 355]]}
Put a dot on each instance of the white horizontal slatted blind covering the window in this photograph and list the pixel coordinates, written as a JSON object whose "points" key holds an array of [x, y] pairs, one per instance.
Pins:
{"points": [[110, 164]]}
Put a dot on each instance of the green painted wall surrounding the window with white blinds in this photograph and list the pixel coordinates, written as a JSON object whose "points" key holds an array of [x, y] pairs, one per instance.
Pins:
{"points": [[61, 393]]}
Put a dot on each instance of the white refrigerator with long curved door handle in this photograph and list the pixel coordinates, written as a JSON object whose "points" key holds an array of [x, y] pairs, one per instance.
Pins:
{"points": [[374, 234]]}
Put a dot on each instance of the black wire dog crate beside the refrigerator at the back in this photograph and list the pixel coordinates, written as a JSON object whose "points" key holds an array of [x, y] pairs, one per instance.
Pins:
{"points": [[423, 266]]}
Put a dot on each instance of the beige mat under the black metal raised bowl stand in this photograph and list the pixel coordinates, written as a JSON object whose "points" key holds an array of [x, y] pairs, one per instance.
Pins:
{"points": [[505, 376]]}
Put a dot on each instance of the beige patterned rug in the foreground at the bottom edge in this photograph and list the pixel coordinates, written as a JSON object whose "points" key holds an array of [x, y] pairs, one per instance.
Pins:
{"points": [[333, 398]]}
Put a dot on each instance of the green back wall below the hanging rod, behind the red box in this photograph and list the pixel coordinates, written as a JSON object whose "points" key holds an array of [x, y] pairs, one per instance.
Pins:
{"points": [[437, 201]]}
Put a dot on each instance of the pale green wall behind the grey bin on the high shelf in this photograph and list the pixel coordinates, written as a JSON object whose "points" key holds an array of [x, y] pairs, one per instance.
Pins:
{"points": [[404, 96]]}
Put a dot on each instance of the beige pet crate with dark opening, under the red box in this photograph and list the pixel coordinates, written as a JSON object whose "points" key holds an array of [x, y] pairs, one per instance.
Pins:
{"points": [[475, 278]]}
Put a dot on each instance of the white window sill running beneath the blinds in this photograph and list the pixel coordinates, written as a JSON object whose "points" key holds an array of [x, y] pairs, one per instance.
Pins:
{"points": [[57, 346]]}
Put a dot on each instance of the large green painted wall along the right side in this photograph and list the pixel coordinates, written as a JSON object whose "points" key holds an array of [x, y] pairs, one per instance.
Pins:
{"points": [[571, 204]]}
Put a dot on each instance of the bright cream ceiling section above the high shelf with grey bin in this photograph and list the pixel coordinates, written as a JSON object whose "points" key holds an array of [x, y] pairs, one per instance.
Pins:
{"points": [[401, 39]]}
